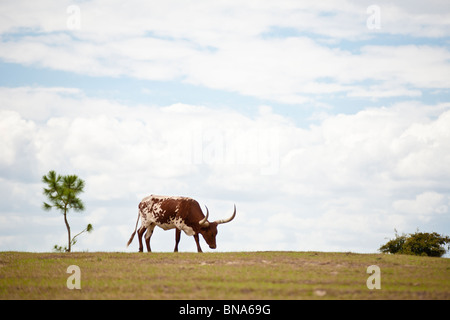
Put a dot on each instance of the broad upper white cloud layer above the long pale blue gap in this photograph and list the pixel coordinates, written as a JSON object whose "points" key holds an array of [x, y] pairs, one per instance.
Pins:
{"points": [[223, 46]]}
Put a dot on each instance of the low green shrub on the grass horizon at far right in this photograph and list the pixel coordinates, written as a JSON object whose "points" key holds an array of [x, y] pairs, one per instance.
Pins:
{"points": [[418, 244]]}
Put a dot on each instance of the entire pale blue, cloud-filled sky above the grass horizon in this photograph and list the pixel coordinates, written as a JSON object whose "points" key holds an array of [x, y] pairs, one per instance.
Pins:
{"points": [[326, 133]]}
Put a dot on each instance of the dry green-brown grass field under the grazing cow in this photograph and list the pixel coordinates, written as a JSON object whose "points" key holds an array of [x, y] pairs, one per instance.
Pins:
{"points": [[231, 275]]}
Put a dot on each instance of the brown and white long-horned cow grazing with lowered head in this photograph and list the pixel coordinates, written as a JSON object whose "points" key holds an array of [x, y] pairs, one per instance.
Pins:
{"points": [[181, 213]]}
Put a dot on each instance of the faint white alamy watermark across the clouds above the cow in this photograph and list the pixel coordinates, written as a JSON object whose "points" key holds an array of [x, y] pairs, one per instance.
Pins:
{"points": [[254, 148]]}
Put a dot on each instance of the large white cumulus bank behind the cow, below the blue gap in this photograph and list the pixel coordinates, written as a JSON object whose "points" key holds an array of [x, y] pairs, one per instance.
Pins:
{"points": [[347, 175]]}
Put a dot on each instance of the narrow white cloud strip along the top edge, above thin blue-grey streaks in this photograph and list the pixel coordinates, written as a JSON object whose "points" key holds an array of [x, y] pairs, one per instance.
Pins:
{"points": [[204, 21]]}
